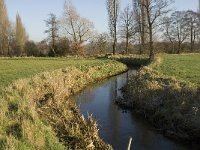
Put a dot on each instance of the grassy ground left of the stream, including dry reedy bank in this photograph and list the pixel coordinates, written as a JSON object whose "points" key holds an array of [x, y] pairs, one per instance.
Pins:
{"points": [[36, 113]]}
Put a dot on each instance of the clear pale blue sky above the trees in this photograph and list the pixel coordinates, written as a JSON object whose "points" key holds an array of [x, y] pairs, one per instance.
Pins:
{"points": [[34, 12]]}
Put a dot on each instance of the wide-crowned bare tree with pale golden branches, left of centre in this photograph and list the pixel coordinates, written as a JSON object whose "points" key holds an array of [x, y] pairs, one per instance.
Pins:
{"points": [[77, 28]]}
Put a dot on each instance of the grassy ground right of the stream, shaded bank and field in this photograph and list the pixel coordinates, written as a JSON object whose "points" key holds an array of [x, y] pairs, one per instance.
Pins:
{"points": [[171, 104]]}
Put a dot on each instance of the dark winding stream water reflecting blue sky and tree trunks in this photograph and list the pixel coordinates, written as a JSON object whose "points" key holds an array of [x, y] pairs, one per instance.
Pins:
{"points": [[116, 125]]}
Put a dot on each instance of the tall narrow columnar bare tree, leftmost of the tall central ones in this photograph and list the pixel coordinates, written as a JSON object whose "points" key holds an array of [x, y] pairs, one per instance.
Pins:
{"points": [[113, 12]]}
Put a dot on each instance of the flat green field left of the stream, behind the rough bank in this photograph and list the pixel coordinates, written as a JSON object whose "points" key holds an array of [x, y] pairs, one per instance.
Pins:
{"points": [[16, 68]]}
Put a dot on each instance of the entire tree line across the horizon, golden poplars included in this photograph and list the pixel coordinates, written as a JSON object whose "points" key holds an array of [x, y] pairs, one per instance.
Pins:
{"points": [[146, 26]]}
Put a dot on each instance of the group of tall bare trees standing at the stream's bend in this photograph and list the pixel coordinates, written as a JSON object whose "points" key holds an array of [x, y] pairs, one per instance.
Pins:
{"points": [[142, 20]]}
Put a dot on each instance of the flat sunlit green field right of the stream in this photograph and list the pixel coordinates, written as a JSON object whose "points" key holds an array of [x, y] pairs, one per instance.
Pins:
{"points": [[185, 67]]}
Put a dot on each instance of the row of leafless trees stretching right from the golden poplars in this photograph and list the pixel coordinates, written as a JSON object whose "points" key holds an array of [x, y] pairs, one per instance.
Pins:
{"points": [[145, 25]]}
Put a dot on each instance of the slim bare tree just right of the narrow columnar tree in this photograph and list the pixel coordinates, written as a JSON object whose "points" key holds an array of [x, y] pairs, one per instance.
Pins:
{"points": [[127, 26]]}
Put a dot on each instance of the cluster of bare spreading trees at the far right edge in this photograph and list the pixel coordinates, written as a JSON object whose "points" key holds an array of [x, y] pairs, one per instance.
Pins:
{"points": [[181, 27]]}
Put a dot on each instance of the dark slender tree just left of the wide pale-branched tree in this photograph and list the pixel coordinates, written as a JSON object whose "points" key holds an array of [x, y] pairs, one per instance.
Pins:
{"points": [[53, 27]]}
